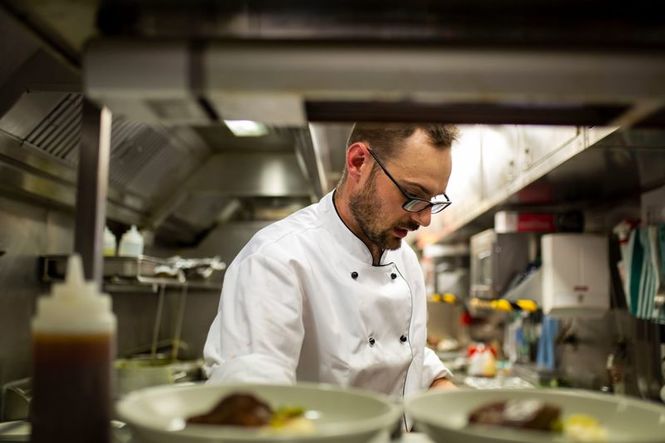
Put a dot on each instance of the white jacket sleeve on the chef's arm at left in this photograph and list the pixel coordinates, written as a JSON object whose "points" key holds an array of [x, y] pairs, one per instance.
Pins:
{"points": [[258, 331]]}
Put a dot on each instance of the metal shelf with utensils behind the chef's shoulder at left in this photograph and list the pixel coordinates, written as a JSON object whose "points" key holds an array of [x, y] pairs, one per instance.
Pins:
{"points": [[142, 273]]}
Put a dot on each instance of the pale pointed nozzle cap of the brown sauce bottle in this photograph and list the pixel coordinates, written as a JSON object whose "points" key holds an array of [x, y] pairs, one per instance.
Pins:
{"points": [[75, 305]]}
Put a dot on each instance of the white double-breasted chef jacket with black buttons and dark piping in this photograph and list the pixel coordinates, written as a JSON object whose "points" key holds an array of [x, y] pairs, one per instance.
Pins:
{"points": [[303, 302]]}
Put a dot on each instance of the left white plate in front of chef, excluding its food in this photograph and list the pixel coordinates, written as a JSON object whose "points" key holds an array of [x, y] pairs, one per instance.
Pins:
{"points": [[157, 415]]}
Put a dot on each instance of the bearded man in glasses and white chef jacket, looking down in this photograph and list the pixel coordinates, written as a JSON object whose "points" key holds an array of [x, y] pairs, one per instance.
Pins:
{"points": [[332, 293]]}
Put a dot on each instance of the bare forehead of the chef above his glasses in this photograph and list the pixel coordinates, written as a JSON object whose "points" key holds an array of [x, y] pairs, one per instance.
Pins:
{"points": [[421, 164]]}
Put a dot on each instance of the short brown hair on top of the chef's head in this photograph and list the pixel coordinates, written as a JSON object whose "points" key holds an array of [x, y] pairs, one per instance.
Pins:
{"points": [[385, 138]]}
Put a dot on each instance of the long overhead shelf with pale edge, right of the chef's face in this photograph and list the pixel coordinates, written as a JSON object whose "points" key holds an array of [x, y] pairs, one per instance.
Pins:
{"points": [[599, 166]]}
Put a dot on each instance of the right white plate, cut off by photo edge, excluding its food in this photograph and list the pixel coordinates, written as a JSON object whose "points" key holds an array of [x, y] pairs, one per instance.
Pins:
{"points": [[443, 415]]}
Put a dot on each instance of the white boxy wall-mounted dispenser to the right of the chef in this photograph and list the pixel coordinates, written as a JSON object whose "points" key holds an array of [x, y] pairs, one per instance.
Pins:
{"points": [[576, 277]]}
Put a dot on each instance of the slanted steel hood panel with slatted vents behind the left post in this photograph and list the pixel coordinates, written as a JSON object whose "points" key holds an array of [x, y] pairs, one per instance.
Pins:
{"points": [[46, 125]]}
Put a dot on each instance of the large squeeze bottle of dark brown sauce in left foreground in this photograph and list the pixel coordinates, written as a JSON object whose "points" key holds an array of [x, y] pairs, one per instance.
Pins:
{"points": [[73, 336]]}
